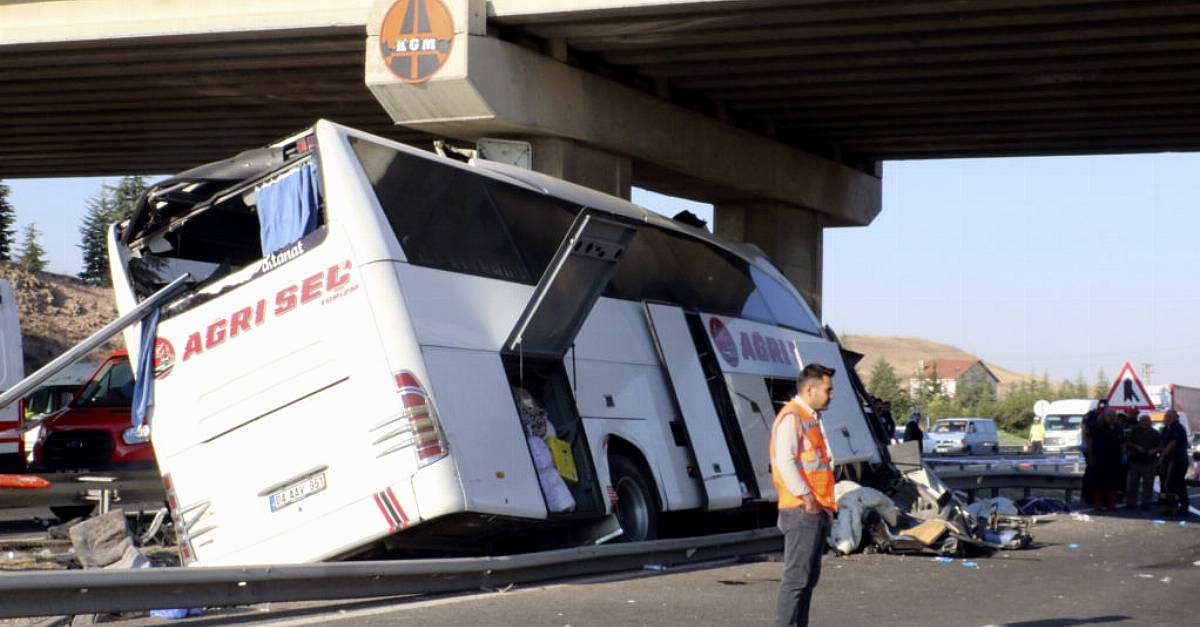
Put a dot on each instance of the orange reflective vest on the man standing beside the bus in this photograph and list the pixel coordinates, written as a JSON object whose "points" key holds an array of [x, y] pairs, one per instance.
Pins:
{"points": [[815, 465]]}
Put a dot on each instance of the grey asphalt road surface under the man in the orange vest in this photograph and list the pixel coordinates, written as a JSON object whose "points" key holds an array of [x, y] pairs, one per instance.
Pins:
{"points": [[1107, 570]]}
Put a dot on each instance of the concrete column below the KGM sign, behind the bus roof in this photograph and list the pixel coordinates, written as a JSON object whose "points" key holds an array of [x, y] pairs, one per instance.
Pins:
{"points": [[577, 163]]}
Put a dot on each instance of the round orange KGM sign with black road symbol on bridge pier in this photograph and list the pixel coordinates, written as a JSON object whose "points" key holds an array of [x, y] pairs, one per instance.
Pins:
{"points": [[416, 38]]}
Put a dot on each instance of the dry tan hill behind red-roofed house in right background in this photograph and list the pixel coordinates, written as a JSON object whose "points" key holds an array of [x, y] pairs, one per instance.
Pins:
{"points": [[904, 354]]}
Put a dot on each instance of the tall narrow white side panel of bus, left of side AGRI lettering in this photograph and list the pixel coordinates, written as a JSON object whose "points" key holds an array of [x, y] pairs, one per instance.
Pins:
{"points": [[681, 362]]}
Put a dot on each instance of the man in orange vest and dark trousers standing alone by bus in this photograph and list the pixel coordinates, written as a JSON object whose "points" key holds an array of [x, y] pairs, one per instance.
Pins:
{"points": [[802, 471]]}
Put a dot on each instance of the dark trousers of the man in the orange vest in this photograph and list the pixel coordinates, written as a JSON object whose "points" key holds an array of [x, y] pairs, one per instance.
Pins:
{"points": [[805, 539]]}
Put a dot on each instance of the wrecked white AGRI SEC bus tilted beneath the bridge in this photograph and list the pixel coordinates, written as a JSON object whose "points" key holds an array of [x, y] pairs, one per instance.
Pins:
{"points": [[344, 373]]}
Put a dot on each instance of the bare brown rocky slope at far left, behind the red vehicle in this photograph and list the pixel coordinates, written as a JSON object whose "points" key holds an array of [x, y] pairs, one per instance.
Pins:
{"points": [[58, 313]]}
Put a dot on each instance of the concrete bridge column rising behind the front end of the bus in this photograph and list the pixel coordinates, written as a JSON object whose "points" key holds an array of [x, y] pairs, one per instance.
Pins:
{"points": [[791, 237]]}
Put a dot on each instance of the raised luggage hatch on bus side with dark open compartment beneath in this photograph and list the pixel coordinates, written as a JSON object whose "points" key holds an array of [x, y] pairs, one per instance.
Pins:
{"points": [[537, 348]]}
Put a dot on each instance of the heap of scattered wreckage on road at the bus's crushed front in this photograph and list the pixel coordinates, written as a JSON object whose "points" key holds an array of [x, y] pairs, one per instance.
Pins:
{"points": [[923, 516]]}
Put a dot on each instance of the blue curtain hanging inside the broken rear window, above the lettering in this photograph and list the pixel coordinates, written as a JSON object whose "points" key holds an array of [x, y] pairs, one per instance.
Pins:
{"points": [[287, 208]]}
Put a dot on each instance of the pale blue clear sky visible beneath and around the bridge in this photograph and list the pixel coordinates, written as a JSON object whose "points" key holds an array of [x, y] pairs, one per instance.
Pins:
{"points": [[1058, 265]]}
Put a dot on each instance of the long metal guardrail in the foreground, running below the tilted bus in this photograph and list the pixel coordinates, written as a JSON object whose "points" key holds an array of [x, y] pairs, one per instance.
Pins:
{"points": [[40, 594]]}
